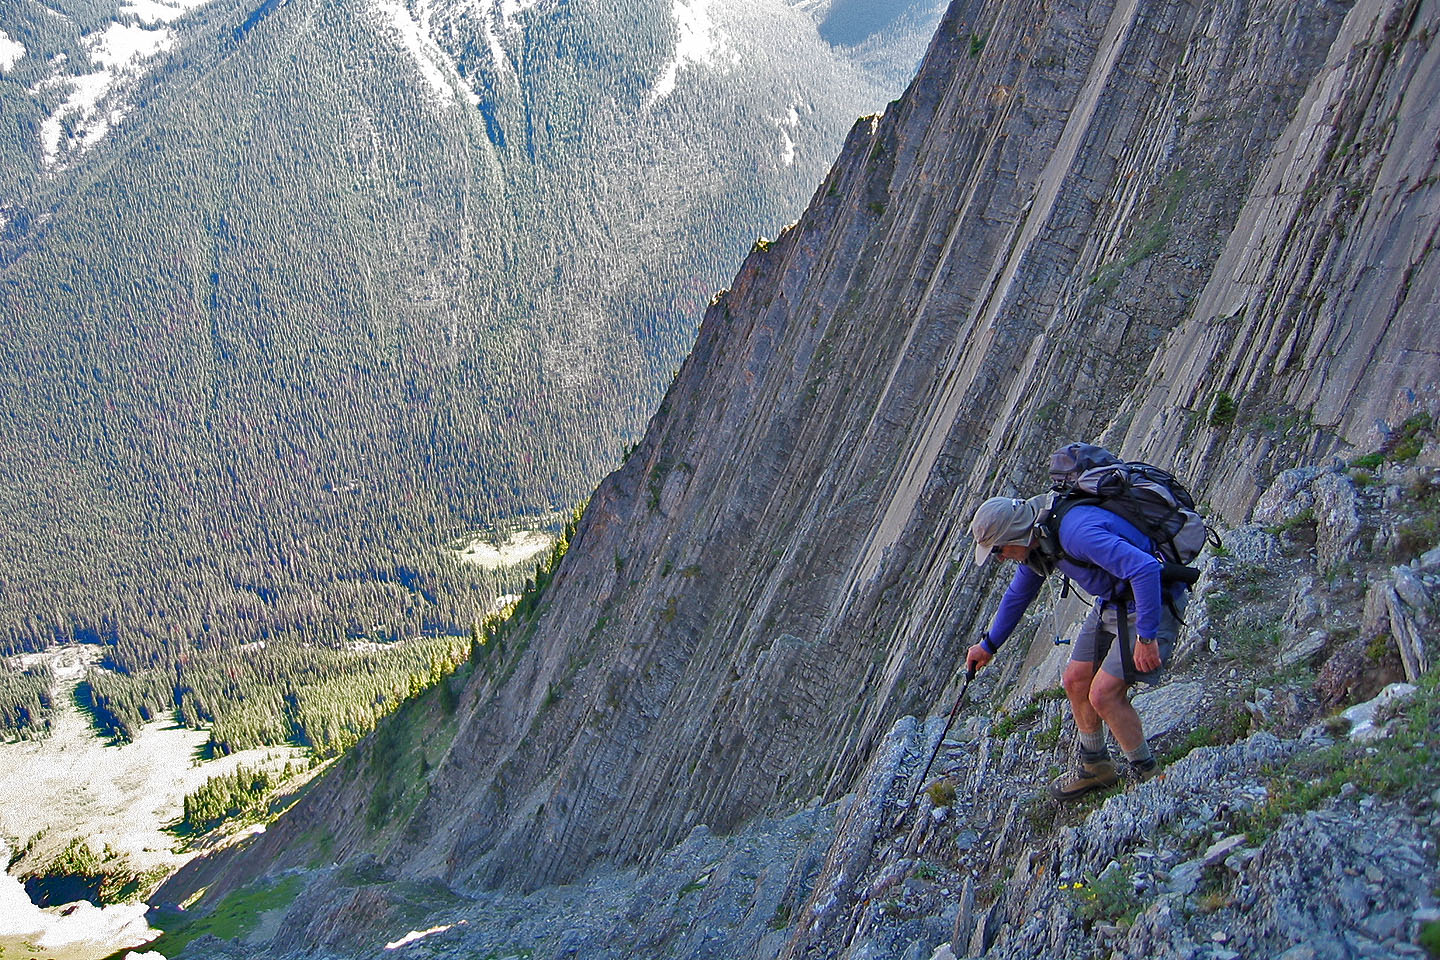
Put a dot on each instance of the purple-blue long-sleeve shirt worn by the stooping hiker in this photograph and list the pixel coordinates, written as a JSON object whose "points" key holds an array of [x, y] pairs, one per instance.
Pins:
{"points": [[1114, 556]]}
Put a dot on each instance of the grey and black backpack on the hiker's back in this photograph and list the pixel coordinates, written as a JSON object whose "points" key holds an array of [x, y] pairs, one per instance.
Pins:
{"points": [[1148, 497]]}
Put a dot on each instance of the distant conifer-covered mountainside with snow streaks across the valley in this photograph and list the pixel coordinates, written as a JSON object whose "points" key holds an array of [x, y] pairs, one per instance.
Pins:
{"points": [[302, 294]]}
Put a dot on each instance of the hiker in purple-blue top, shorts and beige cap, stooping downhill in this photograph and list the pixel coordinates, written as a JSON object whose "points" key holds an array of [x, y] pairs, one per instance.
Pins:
{"points": [[1130, 634]]}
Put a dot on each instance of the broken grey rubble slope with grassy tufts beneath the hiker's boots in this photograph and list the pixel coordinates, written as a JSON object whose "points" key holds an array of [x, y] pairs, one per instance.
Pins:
{"points": [[1275, 830]]}
